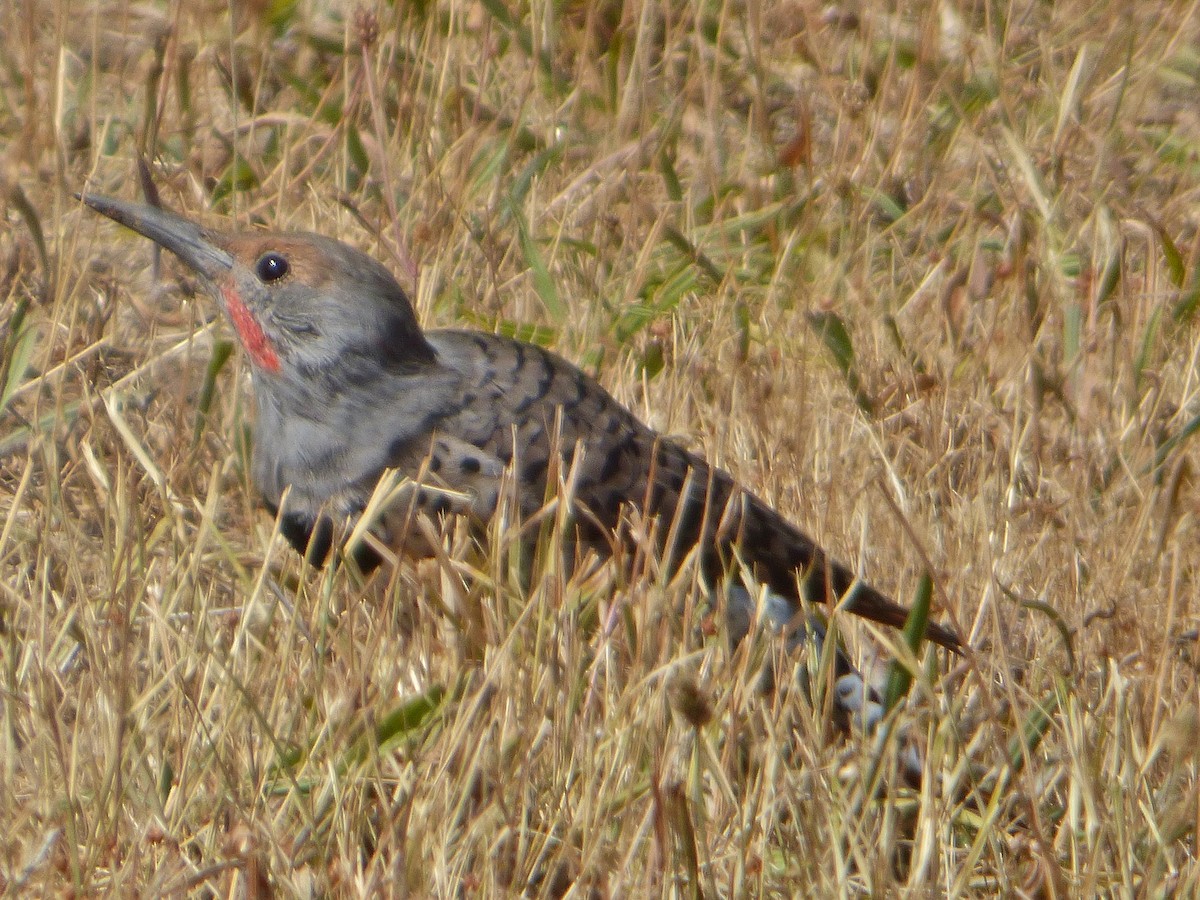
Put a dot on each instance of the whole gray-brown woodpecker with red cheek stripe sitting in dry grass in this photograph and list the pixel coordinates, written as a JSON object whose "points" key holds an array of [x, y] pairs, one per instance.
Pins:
{"points": [[349, 387]]}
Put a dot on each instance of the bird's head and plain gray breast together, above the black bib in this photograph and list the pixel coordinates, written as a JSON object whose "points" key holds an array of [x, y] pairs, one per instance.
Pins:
{"points": [[340, 367]]}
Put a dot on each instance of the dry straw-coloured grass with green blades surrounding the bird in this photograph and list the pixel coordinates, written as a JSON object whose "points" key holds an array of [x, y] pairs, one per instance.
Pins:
{"points": [[925, 275]]}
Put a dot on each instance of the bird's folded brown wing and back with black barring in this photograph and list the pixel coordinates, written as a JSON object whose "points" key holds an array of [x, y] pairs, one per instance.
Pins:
{"points": [[530, 411]]}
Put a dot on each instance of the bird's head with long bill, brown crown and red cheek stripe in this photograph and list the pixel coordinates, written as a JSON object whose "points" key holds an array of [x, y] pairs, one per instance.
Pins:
{"points": [[302, 304]]}
